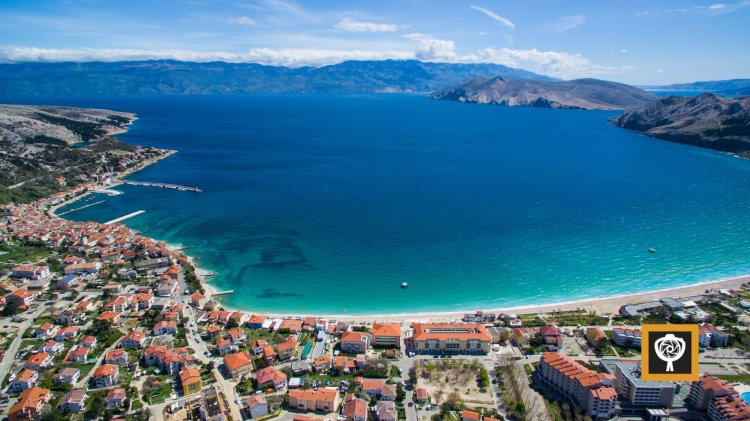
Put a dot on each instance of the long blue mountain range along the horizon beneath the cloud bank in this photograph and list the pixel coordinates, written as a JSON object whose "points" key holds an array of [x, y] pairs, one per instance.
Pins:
{"points": [[175, 77]]}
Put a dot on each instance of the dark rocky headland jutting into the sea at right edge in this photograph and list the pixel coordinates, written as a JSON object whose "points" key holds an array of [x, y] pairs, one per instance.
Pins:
{"points": [[707, 120]]}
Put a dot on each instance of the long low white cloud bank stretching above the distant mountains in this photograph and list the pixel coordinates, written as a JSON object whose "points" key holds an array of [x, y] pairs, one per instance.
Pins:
{"points": [[554, 63]]}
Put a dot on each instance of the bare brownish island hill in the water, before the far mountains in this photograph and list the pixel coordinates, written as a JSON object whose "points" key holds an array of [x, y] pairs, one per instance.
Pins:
{"points": [[590, 94]]}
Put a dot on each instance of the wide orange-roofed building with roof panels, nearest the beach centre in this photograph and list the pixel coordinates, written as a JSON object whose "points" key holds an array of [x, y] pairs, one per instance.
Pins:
{"points": [[455, 338]]}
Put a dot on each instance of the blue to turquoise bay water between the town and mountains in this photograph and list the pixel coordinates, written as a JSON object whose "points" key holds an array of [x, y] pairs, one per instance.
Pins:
{"points": [[325, 204]]}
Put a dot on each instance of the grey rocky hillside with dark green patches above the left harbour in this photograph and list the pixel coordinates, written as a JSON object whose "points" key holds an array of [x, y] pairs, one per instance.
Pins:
{"points": [[38, 144]]}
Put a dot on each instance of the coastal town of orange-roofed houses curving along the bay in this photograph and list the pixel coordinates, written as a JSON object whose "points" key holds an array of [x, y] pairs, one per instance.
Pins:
{"points": [[101, 323]]}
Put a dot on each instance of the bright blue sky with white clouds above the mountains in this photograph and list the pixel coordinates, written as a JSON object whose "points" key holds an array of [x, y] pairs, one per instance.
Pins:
{"points": [[637, 41]]}
